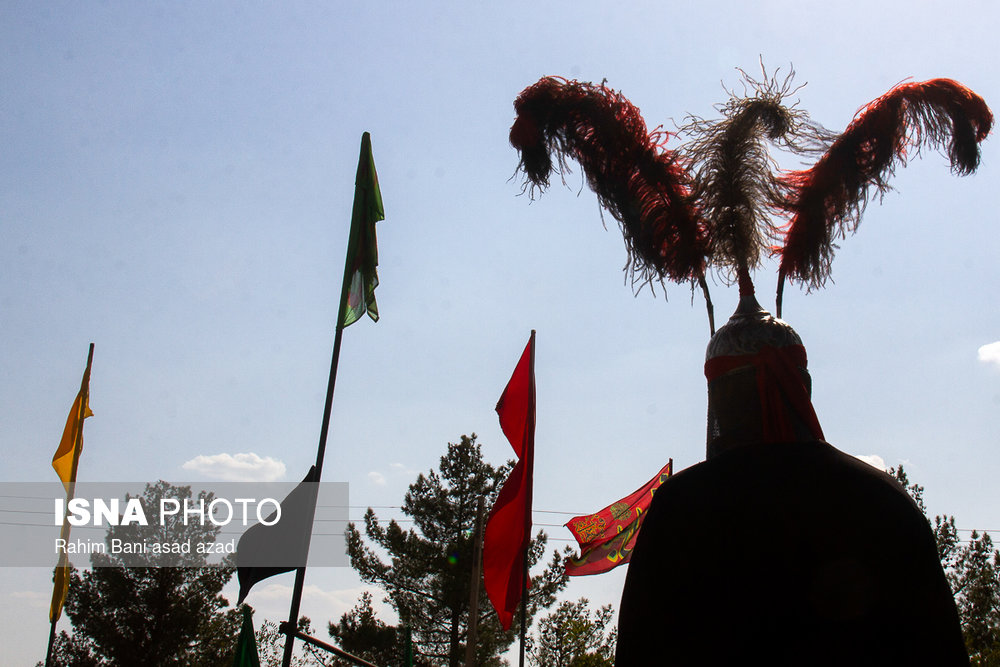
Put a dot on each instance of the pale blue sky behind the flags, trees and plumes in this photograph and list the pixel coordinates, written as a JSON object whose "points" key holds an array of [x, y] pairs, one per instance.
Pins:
{"points": [[176, 188]]}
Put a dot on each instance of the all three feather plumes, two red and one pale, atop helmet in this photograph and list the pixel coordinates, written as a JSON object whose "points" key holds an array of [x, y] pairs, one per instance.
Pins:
{"points": [[713, 201]]}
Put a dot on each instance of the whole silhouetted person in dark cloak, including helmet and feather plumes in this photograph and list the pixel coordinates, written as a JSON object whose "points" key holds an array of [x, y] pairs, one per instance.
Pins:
{"points": [[778, 549]]}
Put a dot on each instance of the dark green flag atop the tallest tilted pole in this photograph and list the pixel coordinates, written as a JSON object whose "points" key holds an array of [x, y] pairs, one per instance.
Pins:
{"points": [[362, 253]]}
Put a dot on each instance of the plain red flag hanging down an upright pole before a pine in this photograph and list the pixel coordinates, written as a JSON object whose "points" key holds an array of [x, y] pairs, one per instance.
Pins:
{"points": [[508, 529]]}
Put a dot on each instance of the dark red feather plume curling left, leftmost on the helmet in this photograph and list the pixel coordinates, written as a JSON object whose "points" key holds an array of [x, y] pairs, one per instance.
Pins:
{"points": [[639, 182]]}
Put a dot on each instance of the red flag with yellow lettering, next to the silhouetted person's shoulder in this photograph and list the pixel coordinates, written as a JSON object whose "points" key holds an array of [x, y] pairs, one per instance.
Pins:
{"points": [[607, 537]]}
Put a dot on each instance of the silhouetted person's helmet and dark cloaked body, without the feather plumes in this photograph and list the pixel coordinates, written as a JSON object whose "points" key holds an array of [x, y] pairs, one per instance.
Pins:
{"points": [[779, 549]]}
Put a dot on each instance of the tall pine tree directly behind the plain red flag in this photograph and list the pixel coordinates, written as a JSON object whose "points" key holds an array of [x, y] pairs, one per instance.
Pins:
{"points": [[428, 576]]}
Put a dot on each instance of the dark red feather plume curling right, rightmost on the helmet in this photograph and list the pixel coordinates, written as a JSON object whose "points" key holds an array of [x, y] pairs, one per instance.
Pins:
{"points": [[827, 200]]}
